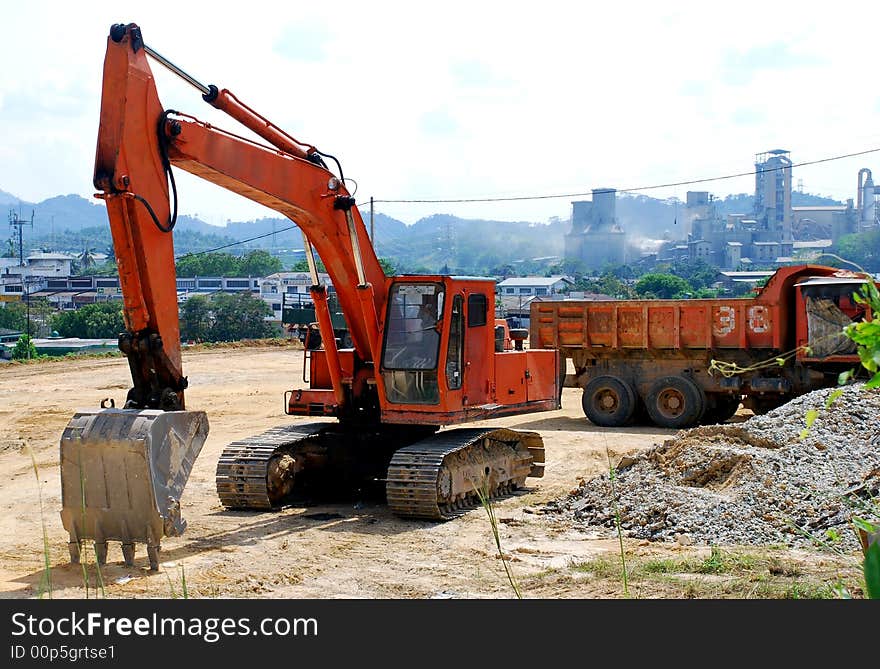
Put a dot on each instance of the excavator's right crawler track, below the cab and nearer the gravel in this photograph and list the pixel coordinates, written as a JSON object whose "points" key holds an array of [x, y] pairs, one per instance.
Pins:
{"points": [[441, 477]]}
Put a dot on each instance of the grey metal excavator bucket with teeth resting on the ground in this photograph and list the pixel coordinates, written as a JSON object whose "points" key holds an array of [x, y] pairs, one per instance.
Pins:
{"points": [[123, 472]]}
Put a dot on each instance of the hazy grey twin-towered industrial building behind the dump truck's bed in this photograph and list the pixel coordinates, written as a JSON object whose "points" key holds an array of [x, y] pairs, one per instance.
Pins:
{"points": [[597, 237]]}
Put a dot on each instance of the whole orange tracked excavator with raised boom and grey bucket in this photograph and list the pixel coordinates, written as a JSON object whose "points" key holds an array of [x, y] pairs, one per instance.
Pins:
{"points": [[426, 350]]}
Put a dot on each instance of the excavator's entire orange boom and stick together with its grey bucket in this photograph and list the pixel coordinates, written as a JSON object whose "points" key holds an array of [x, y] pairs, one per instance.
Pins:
{"points": [[123, 470]]}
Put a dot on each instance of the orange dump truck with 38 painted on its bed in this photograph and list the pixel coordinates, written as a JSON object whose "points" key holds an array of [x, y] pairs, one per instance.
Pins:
{"points": [[684, 362]]}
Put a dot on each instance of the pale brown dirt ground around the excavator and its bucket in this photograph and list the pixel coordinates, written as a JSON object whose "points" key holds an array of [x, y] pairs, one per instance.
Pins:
{"points": [[349, 550]]}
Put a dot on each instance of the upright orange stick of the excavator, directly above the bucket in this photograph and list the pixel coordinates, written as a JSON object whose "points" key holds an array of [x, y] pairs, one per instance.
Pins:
{"points": [[133, 174]]}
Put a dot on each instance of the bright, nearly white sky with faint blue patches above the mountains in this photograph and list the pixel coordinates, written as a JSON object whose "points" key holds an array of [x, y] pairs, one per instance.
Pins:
{"points": [[454, 100]]}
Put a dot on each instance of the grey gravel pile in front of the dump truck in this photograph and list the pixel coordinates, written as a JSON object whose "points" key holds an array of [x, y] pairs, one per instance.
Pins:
{"points": [[755, 482]]}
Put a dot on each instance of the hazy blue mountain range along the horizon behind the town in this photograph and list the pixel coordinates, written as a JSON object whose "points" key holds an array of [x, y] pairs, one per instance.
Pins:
{"points": [[434, 243]]}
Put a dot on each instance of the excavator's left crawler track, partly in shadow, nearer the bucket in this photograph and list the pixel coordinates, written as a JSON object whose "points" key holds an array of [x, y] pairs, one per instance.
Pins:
{"points": [[244, 480]]}
